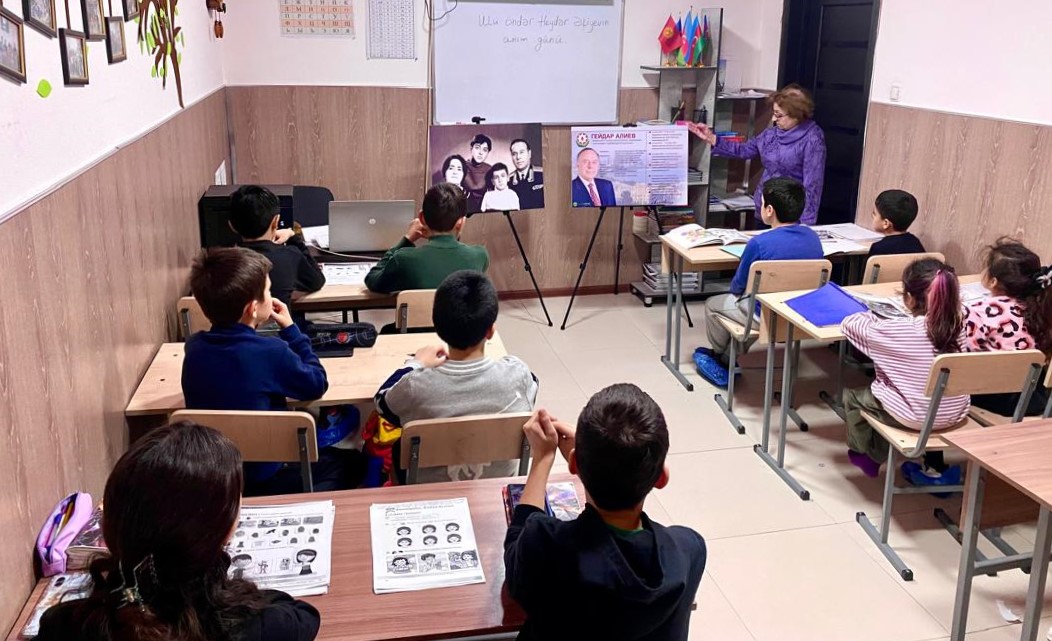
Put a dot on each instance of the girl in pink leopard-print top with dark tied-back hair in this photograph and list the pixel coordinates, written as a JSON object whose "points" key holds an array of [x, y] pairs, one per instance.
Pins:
{"points": [[1016, 315]]}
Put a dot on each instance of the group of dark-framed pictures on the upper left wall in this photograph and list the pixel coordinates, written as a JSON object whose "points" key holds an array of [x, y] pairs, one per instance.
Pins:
{"points": [[42, 16]]}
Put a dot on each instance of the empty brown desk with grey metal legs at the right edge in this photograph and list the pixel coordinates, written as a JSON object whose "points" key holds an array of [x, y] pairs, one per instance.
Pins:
{"points": [[1018, 454]]}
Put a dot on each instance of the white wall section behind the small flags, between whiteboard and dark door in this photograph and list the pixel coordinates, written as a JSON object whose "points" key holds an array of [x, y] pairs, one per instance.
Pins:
{"points": [[752, 37]]}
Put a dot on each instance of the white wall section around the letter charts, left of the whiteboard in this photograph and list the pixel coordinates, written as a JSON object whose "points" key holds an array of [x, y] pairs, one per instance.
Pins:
{"points": [[256, 53]]}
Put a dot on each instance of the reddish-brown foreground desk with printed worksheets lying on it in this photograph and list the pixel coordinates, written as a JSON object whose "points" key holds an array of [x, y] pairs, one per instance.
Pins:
{"points": [[351, 612]]}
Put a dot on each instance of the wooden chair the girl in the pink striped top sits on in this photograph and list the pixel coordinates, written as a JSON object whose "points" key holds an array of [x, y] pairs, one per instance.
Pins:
{"points": [[950, 375]]}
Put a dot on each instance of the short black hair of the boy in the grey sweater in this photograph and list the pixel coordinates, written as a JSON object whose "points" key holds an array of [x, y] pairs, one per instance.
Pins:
{"points": [[466, 309]]}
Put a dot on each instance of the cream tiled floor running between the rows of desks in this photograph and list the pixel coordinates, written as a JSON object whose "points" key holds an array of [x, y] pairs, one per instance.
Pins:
{"points": [[780, 569]]}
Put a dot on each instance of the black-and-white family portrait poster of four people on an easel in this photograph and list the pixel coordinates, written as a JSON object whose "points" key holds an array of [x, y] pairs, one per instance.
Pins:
{"points": [[499, 167]]}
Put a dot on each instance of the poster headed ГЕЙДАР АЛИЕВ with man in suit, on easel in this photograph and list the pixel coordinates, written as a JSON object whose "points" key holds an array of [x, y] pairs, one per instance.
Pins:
{"points": [[629, 167]]}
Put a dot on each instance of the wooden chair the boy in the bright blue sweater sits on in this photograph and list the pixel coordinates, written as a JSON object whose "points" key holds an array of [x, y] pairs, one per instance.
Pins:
{"points": [[767, 277]]}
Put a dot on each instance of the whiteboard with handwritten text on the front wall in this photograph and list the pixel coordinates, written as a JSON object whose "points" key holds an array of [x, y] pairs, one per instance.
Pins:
{"points": [[557, 63]]}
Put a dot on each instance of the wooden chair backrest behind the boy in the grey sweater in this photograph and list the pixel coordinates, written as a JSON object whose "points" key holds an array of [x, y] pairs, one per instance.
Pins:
{"points": [[470, 440]]}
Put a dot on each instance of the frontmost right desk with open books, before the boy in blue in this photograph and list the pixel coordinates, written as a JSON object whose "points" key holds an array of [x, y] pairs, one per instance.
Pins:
{"points": [[710, 258]]}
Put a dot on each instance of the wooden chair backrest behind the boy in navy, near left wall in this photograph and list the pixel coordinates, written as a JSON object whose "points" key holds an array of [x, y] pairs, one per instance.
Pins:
{"points": [[280, 437]]}
